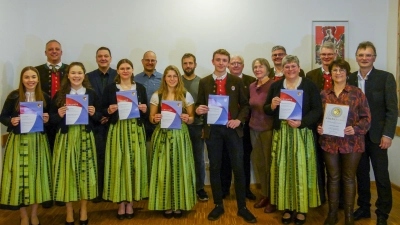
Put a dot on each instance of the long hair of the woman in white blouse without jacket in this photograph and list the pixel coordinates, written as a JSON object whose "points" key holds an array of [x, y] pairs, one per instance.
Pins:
{"points": [[179, 91]]}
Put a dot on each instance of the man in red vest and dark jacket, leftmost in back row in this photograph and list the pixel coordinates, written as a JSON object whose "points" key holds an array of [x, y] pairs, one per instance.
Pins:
{"points": [[51, 74]]}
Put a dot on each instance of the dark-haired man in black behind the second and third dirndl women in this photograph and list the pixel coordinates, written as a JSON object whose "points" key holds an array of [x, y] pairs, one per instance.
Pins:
{"points": [[99, 79]]}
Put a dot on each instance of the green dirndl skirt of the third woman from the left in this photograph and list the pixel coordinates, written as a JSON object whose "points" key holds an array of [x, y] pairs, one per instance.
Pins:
{"points": [[125, 172]]}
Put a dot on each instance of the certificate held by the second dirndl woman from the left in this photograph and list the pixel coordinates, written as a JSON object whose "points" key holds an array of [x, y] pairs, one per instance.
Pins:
{"points": [[77, 109]]}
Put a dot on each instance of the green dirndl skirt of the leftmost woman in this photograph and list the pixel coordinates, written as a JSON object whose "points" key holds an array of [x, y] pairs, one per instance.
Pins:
{"points": [[26, 177]]}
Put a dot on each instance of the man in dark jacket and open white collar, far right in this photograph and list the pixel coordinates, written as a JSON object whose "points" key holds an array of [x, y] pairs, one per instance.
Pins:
{"points": [[380, 89]]}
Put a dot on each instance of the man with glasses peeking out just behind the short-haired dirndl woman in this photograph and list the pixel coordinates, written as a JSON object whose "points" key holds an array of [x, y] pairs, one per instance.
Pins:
{"points": [[276, 72]]}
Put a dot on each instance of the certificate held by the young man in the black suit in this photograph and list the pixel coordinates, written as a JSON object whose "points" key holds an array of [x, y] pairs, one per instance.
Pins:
{"points": [[218, 108]]}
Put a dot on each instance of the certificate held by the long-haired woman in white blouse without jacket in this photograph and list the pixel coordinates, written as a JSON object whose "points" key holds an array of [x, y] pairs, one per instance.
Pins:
{"points": [[171, 114]]}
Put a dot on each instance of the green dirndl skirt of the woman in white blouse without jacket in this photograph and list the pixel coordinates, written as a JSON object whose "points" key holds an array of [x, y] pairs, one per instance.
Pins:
{"points": [[172, 180]]}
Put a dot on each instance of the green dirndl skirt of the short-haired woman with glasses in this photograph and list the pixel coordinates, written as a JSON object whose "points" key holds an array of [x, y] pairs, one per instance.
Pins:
{"points": [[294, 180]]}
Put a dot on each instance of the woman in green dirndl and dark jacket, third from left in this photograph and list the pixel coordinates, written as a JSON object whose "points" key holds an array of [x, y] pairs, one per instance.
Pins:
{"points": [[125, 173]]}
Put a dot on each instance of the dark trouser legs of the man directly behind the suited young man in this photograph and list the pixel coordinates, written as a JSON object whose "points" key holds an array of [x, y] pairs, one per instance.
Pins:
{"points": [[226, 169]]}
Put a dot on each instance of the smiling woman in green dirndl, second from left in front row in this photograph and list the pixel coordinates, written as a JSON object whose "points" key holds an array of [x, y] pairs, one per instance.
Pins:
{"points": [[74, 156]]}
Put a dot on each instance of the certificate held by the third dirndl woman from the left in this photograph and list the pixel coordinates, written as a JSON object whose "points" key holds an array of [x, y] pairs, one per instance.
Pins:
{"points": [[127, 105]]}
